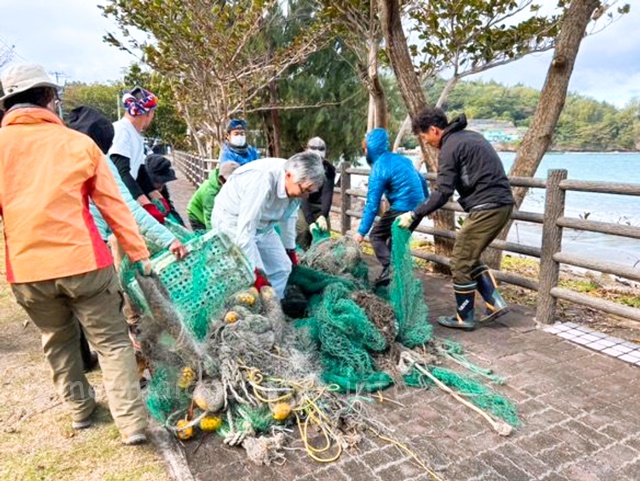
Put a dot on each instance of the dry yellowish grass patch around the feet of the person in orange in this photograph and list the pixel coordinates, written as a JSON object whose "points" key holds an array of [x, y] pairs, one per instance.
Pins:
{"points": [[36, 439]]}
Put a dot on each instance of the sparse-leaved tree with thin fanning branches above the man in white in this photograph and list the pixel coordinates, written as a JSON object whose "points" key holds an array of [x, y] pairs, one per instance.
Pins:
{"points": [[218, 57]]}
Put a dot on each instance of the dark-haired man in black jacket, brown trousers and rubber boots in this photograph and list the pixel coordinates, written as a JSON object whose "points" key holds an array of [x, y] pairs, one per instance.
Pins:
{"points": [[469, 165]]}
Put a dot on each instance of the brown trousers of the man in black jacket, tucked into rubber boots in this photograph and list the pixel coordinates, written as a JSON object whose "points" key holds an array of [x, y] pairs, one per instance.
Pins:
{"points": [[478, 230]]}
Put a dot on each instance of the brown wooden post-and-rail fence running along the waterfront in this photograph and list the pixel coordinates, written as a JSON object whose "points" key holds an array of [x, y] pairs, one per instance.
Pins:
{"points": [[553, 221]]}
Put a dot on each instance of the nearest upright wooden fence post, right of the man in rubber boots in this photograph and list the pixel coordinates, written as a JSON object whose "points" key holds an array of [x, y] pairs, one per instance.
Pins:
{"points": [[551, 244]]}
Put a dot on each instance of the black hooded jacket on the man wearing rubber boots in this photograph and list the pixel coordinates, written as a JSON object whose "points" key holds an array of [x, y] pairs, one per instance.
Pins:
{"points": [[469, 165]]}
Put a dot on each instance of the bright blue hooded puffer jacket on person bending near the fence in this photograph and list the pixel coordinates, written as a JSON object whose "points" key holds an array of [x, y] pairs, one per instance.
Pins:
{"points": [[392, 175]]}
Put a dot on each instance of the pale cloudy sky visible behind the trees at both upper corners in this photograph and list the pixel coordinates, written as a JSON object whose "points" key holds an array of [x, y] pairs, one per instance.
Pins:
{"points": [[66, 37]]}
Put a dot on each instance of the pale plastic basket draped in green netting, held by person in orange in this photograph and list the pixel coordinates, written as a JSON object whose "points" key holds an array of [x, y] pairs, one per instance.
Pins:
{"points": [[199, 284]]}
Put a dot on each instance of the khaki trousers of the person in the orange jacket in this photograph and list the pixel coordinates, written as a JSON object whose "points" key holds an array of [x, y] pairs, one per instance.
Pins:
{"points": [[95, 299]]}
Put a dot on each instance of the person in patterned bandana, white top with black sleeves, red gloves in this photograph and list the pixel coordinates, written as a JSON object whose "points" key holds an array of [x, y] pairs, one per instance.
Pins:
{"points": [[127, 151]]}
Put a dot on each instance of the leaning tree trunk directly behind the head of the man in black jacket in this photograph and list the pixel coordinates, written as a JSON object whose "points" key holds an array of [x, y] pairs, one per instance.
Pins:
{"points": [[415, 100]]}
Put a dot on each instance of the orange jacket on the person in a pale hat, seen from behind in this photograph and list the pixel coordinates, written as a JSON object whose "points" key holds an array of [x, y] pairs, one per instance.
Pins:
{"points": [[48, 172]]}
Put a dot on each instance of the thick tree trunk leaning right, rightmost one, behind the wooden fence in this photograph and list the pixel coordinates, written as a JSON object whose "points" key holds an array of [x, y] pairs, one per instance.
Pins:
{"points": [[552, 98]]}
